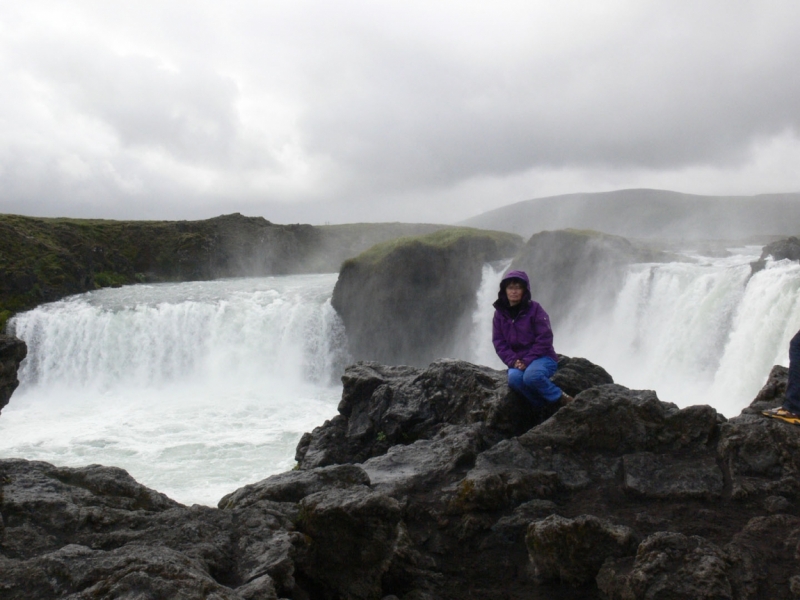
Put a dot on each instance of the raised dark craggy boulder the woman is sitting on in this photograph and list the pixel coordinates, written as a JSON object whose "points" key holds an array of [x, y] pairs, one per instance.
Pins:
{"points": [[383, 406]]}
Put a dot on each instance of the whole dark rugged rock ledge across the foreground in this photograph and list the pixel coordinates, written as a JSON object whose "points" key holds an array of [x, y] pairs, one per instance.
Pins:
{"points": [[438, 483]]}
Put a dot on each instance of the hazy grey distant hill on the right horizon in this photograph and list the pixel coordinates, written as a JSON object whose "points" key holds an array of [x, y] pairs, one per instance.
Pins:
{"points": [[650, 214]]}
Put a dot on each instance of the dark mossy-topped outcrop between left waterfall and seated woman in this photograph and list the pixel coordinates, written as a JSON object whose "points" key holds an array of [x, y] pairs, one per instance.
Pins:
{"points": [[406, 301]]}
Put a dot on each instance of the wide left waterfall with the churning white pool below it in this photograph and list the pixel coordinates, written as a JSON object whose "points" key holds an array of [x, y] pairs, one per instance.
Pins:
{"points": [[195, 388]]}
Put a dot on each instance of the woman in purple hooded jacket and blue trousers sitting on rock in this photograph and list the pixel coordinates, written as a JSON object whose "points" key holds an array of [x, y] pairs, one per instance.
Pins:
{"points": [[523, 340]]}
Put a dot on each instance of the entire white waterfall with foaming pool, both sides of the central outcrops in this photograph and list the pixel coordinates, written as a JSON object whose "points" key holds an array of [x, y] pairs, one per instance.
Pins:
{"points": [[199, 388]]}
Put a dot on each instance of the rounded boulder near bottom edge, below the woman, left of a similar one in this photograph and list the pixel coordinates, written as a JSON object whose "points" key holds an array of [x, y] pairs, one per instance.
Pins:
{"points": [[573, 550]]}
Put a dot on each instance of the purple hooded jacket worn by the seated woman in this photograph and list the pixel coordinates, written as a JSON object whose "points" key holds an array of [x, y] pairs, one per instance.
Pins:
{"points": [[528, 336]]}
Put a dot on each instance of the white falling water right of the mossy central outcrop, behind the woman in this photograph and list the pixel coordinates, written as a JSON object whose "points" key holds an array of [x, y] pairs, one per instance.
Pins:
{"points": [[703, 332]]}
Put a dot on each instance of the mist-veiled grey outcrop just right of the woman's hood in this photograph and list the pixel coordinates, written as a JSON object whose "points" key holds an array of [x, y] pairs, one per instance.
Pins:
{"points": [[575, 272]]}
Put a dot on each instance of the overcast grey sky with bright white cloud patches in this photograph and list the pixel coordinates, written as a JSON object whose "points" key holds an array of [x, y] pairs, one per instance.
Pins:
{"points": [[316, 111]]}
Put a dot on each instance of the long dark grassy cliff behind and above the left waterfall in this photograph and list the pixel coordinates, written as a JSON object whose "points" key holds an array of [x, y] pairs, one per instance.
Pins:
{"points": [[42, 260]]}
